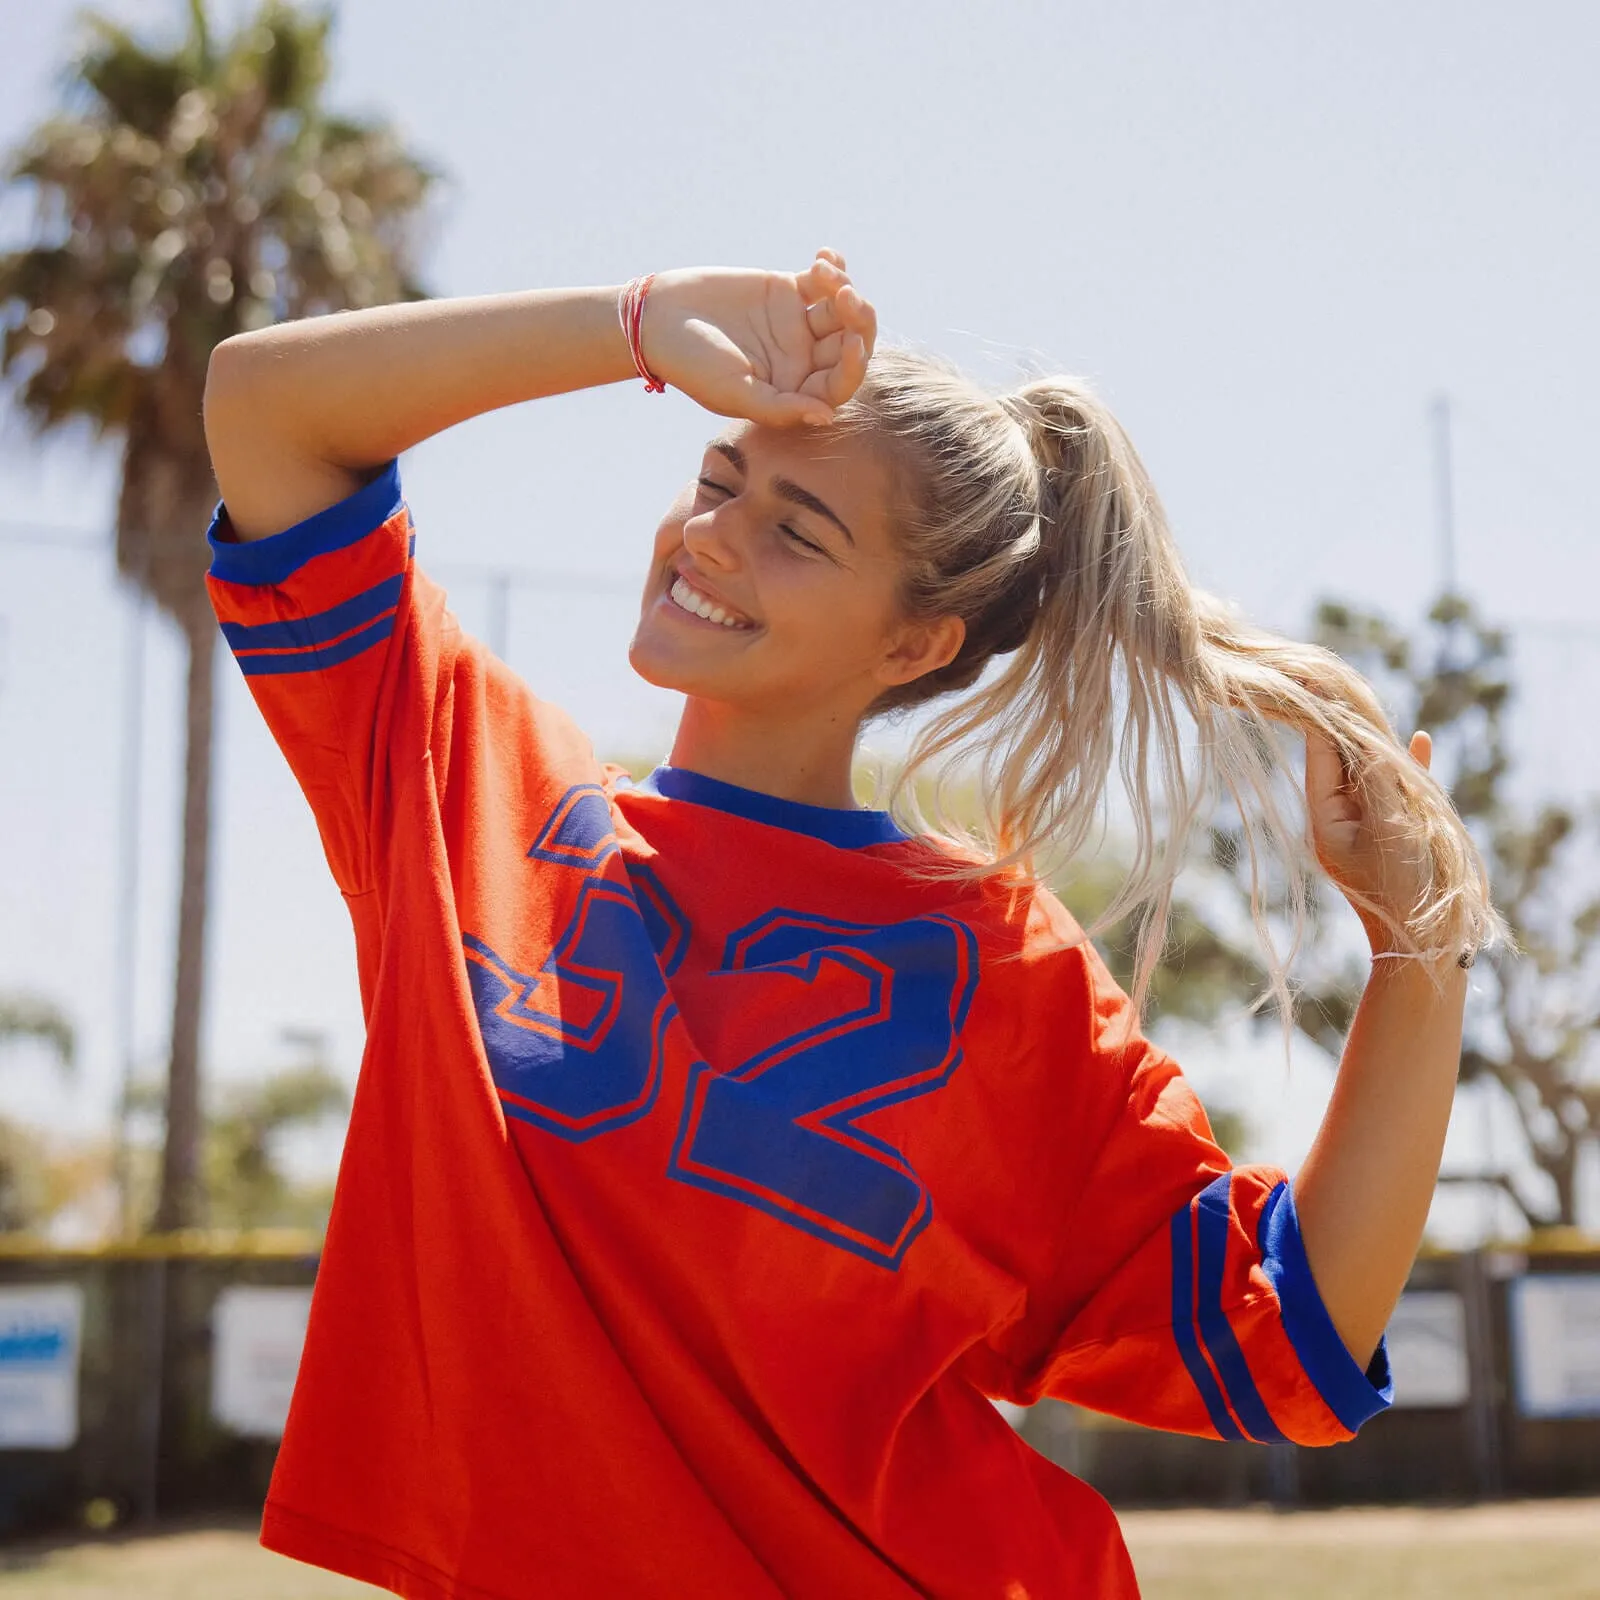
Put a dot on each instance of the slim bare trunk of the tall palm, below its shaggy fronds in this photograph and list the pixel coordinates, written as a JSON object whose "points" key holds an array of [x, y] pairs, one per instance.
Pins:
{"points": [[182, 1204]]}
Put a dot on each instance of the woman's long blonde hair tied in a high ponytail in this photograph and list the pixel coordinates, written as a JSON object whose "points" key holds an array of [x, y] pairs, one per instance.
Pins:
{"points": [[1033, 519]]}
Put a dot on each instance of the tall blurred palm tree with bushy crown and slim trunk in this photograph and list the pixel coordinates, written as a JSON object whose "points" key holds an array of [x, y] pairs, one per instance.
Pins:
{"points": [[183, 196]]}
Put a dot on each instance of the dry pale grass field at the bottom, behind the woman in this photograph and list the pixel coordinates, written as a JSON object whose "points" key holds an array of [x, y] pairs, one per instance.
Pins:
{"points": [[1529, 1551]]}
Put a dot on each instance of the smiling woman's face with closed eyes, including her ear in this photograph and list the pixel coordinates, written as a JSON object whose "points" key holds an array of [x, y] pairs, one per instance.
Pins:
{"points": [[774, 583]]}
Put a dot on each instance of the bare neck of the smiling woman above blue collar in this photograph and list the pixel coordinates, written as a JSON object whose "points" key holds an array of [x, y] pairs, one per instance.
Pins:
{"points": [[793, 759]]}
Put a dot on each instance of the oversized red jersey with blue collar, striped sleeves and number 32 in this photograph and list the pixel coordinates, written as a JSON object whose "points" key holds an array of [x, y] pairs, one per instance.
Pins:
{"points": [[714, 1164]]}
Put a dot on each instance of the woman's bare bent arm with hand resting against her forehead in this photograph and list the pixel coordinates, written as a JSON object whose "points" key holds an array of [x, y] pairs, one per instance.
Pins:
{"points": [[300, 415]]}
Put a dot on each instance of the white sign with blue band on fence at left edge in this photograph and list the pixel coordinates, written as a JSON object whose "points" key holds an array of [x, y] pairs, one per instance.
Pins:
{"points": [[41, 1334]]}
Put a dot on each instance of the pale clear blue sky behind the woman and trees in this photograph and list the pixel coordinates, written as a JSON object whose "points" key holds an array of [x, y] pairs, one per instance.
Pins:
{"points": [[1271, 234]]}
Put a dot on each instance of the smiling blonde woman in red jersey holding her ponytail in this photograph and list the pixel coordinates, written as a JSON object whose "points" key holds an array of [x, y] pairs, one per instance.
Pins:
{"points": [[721, 1150]]}
